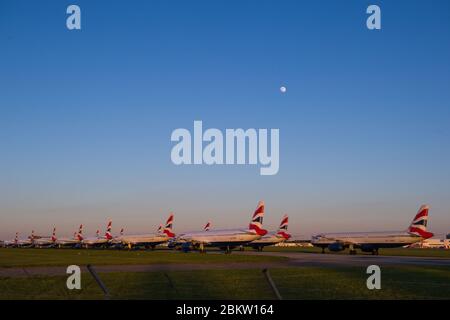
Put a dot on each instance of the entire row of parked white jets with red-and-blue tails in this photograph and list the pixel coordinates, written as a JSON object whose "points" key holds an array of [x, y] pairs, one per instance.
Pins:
{"points": [[254, 236]]}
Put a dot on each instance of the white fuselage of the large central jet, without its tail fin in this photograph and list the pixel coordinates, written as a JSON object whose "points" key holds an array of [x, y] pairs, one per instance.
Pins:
{"points": [[221, 237]]}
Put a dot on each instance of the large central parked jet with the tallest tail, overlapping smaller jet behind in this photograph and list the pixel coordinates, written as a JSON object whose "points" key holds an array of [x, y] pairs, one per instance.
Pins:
{"points": [[228, 239]]}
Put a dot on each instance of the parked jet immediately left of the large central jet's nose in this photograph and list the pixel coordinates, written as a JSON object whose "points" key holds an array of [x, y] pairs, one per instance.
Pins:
{"points": [[149, 240]]}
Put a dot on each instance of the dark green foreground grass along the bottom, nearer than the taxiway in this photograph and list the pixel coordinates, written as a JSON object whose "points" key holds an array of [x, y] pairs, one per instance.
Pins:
{"points": [[293, 283]]}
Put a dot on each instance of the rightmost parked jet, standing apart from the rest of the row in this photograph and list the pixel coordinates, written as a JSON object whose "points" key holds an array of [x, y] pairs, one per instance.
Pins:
{"points": [[372, 241]]}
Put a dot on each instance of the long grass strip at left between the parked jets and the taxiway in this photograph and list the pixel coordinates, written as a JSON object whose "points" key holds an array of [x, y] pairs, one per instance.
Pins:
{"points": [[63, 257]]}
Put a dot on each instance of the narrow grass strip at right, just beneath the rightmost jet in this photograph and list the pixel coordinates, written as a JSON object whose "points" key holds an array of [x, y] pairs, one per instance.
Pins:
{"points": [[412, 252]]}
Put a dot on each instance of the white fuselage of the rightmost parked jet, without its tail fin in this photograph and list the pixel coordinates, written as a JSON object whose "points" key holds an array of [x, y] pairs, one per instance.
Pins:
{"points": [[380, 239]]}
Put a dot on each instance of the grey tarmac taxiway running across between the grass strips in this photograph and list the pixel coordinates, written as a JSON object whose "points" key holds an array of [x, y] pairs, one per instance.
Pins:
{"points": [[296, 260]]}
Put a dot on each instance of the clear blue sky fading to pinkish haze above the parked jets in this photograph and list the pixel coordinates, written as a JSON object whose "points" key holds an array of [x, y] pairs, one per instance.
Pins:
{"points": [[86, 116]]}
